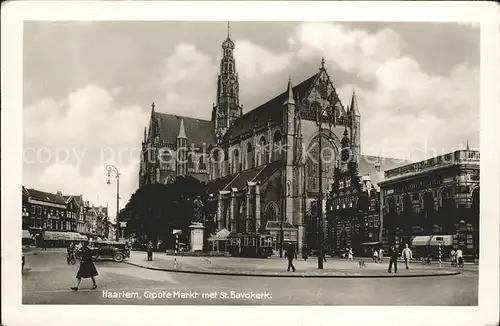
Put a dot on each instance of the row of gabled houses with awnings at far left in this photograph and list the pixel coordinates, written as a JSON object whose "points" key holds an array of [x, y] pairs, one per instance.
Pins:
{"points": [[45, 214]]}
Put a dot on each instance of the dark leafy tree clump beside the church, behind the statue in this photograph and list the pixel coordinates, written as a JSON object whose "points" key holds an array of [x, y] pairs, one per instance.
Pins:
{"points": [[154, 211]]}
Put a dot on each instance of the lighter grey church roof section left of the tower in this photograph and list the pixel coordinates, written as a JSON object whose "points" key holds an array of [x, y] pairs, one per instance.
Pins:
{"points": [[197, 131]]}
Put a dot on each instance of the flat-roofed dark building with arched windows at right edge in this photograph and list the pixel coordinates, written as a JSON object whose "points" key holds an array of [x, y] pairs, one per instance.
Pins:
{"points": [[436, 196]]}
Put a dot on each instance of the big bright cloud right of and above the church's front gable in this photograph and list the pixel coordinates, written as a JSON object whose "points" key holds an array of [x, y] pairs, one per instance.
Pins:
{"points": [[405, 109]]}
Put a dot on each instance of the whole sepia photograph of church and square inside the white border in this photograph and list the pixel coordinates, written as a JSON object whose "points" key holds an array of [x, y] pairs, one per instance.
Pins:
{"points": [[239, 163]]}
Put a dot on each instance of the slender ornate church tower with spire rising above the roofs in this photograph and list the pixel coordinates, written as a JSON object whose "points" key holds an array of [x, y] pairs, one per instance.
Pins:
{"points": [[227, 109]]}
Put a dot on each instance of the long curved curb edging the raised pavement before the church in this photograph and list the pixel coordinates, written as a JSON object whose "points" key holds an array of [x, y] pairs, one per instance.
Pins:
{"points": [[290, 275]]}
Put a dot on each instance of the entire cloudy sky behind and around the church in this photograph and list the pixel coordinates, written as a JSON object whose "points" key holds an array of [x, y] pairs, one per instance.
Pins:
{"points": [[88, 87]]}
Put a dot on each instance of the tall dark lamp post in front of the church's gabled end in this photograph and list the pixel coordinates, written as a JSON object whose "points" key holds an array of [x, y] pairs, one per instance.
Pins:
{"points": [[320, 110]]}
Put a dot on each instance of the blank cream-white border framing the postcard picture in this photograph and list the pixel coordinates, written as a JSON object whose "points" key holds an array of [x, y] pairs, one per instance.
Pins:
{"points": [[13, 15]]}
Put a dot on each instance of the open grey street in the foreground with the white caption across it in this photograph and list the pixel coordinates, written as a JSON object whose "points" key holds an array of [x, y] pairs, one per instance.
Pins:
{"points": [[48, 278]]}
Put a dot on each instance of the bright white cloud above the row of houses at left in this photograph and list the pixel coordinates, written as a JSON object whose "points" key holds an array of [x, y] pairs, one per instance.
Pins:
{"points": [[89, 126]]}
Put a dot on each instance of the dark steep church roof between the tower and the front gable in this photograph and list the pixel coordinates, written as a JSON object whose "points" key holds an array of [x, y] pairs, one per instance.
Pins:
{"points": [[271, 110]]}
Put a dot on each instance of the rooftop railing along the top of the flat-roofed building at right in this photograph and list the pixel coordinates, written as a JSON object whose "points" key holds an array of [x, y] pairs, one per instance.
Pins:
{"points": [[461, 156]]}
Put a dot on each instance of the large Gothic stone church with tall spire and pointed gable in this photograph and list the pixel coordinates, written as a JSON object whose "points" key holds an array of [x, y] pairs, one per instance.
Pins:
{"points": [[262, 165]]}
